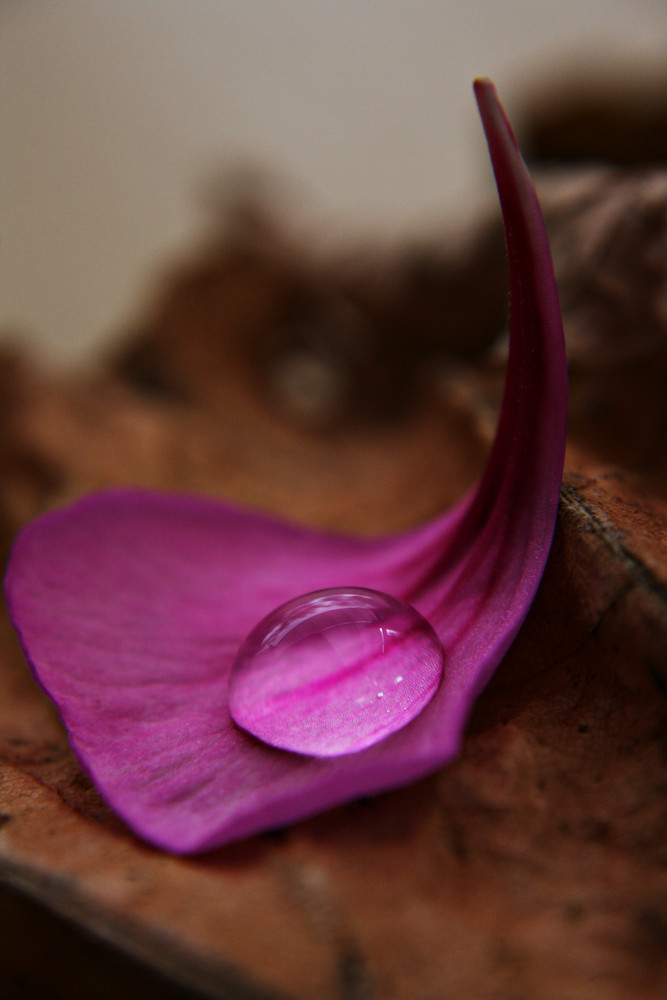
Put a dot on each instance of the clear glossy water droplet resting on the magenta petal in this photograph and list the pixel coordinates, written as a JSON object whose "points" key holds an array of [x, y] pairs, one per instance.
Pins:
{"points": [[335, 671]]}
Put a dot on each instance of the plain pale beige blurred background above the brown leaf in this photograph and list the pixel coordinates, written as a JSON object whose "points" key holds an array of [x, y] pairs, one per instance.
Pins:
{"points": [[115, 115]]}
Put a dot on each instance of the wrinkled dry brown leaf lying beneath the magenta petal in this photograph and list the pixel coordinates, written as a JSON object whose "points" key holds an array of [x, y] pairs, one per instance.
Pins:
{"points": [[535, 867]]}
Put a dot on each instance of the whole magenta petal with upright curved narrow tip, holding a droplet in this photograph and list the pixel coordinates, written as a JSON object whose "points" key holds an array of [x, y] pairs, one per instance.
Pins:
{"points": [[131, 606]]}
